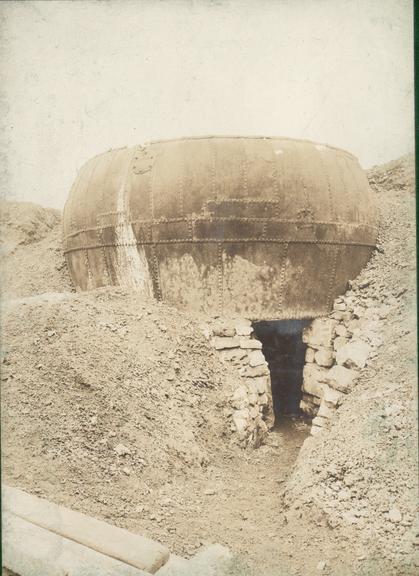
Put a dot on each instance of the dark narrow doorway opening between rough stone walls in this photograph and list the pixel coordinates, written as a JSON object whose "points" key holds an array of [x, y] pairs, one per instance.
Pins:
{"points": [[284, 350]]}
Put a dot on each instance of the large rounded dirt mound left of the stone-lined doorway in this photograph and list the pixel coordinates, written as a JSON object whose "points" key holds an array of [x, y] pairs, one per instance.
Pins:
{"points": [[105, 388]]}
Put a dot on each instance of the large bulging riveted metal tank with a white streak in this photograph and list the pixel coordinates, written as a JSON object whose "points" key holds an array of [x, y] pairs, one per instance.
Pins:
{"points": [[267, 228]]}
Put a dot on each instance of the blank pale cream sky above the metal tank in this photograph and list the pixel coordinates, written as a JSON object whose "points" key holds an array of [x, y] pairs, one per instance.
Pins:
{"points": [[80, 77]]}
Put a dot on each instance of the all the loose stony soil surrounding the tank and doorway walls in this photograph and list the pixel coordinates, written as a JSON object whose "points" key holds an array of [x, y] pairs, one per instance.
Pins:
{"points": [[113, 405]]}
